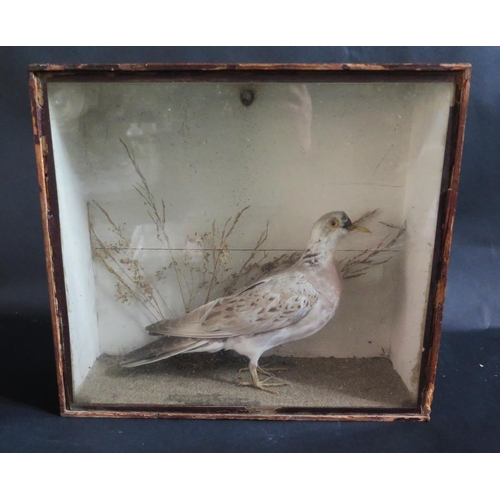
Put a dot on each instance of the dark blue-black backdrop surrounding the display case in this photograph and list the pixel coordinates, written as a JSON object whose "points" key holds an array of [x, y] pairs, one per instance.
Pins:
{"points": [[466, 410]]}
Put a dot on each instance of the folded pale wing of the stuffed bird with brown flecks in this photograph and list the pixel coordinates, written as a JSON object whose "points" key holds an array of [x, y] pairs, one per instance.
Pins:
{"points": [[270, 304]]}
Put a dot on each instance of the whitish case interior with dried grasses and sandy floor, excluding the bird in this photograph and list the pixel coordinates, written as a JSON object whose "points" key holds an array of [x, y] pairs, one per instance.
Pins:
{"points": [[173, 195]]}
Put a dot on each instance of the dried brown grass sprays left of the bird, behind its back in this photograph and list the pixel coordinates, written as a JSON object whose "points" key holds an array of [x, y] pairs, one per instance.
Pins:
{"points": [[204, 267]]}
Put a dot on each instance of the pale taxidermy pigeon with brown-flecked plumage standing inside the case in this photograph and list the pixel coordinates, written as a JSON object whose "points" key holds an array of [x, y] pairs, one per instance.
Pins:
{"points": [[291, 304]]}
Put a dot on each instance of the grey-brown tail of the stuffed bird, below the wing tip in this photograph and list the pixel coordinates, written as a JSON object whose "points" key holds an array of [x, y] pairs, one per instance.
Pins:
{"points": [[163, 348]]}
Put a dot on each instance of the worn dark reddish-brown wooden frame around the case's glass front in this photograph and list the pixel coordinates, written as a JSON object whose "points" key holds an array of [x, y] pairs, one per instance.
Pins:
{"points": [[40, 74]]}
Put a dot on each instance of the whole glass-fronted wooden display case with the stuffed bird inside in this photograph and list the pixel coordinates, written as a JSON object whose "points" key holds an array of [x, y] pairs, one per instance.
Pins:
{"points": [[248, 241]]}
